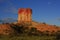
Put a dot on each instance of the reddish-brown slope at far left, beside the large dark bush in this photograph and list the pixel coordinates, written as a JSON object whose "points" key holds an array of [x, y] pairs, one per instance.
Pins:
{"points": [[6, 29]]}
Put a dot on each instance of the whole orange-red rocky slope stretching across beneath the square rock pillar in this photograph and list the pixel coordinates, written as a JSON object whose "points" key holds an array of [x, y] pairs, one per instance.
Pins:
{"points": [[8, 29]]}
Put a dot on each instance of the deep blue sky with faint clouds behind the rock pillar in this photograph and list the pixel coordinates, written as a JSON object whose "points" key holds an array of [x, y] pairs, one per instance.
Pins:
{"points": [[47, 11]]}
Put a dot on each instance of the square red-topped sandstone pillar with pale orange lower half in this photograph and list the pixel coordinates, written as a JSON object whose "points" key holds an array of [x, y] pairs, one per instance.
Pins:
{"points": [[24, 14]]}
